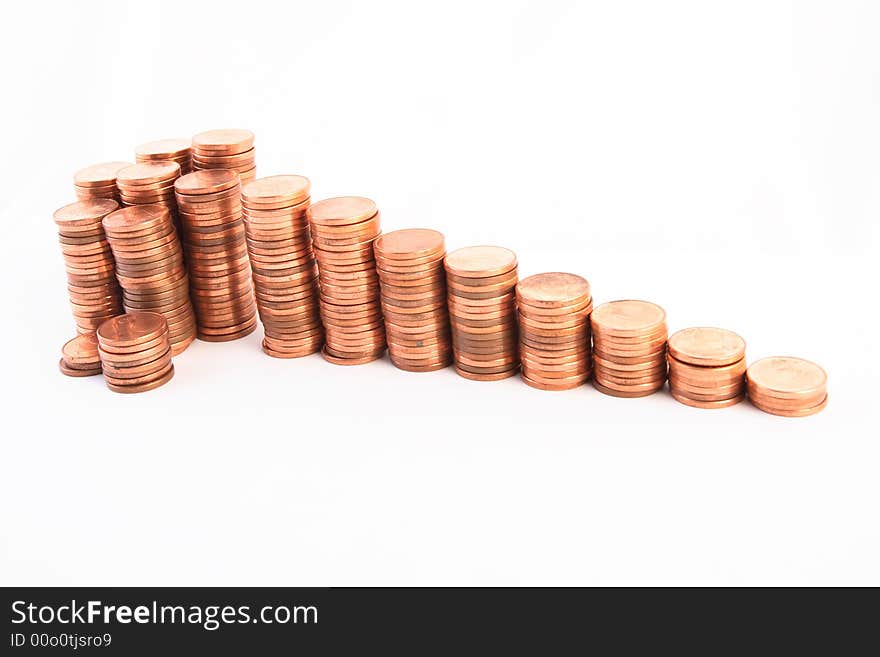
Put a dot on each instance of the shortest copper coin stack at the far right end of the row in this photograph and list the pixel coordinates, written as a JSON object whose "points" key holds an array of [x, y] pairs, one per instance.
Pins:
{"points": [[787, 386]]}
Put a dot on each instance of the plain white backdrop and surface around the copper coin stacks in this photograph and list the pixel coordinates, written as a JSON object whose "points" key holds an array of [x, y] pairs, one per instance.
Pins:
{"points": [[721, 159]]}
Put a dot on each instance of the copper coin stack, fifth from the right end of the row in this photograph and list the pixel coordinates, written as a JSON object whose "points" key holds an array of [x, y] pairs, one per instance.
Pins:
{"points": [[481, 283]]}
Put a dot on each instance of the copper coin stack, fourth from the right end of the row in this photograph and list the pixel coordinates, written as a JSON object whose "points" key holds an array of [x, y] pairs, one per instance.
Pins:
{"points": [[554, 330]]}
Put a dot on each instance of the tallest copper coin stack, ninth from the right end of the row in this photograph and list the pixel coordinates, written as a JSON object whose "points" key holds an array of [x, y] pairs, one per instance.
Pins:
{"points": [[209, 203]]}
